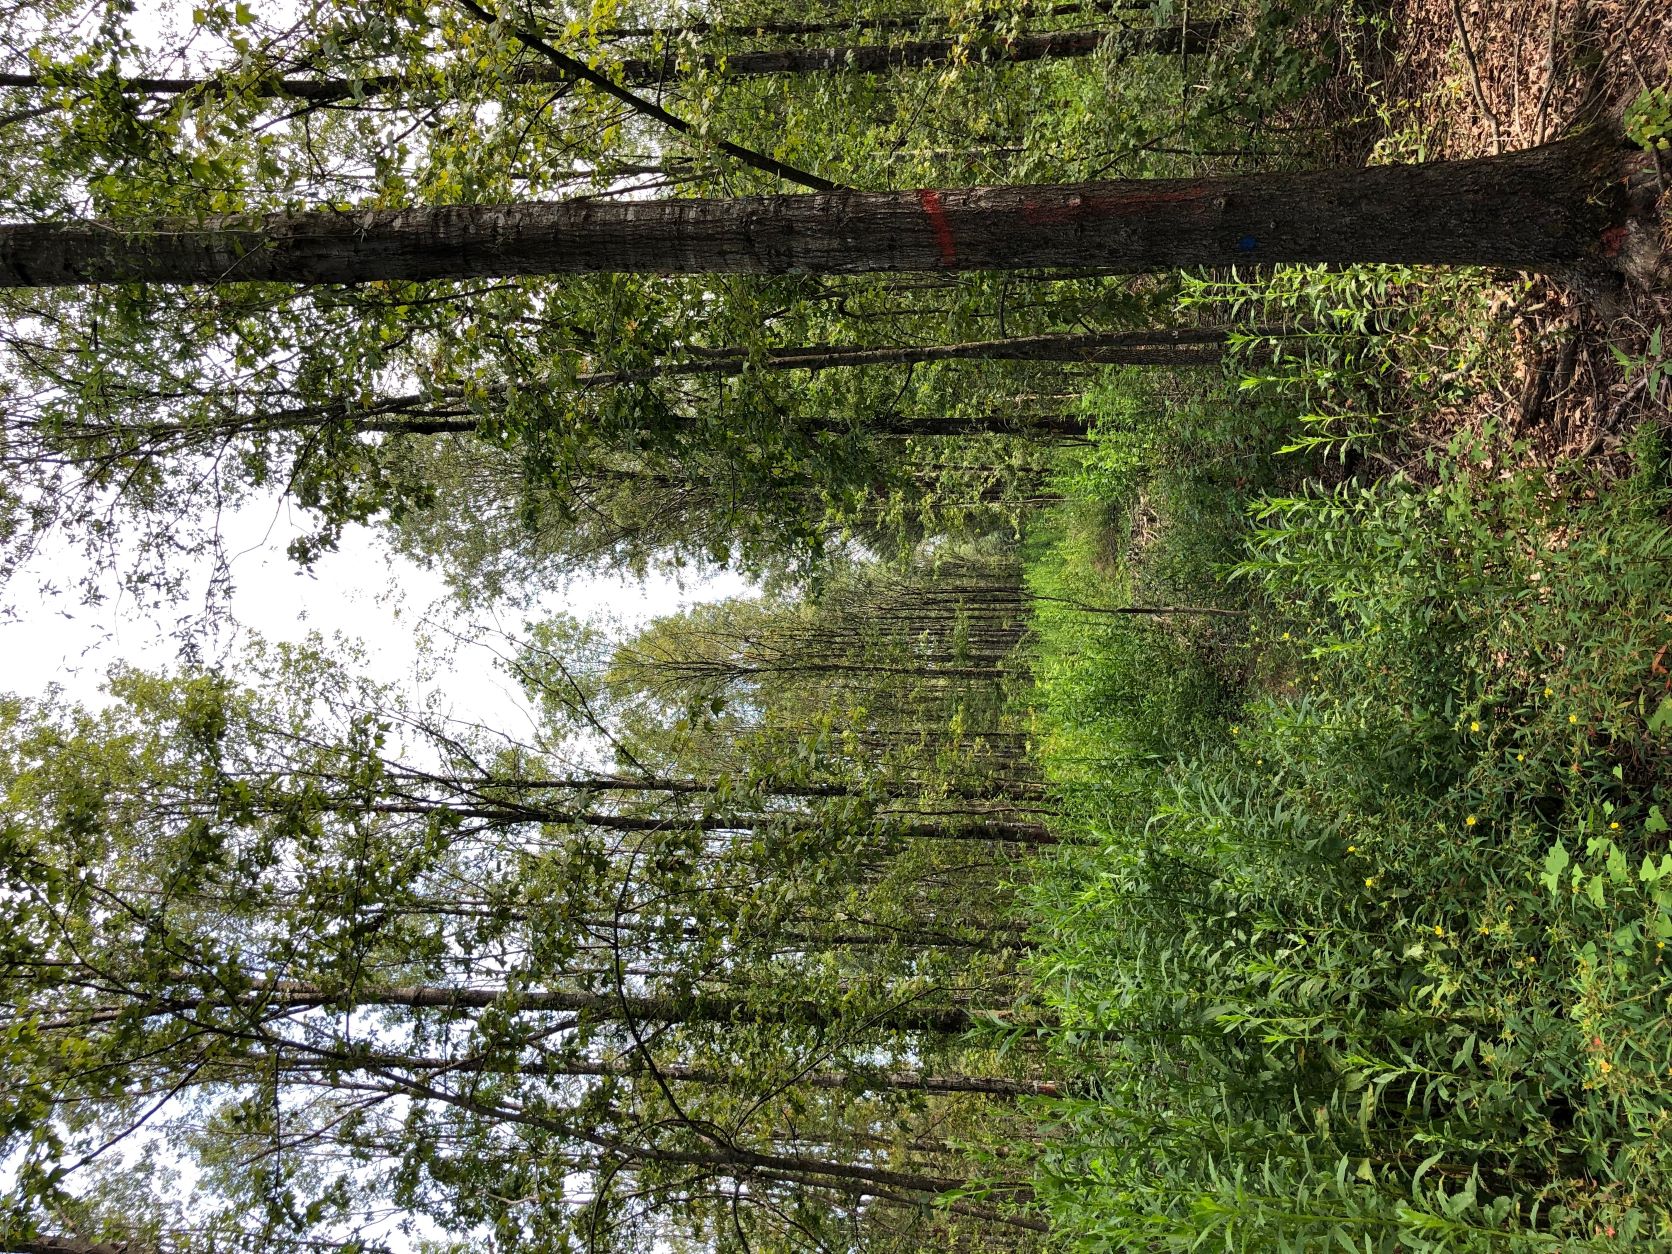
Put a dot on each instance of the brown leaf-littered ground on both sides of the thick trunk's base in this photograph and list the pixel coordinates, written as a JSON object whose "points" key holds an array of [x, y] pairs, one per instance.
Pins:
{"points": [[1491, 76]]}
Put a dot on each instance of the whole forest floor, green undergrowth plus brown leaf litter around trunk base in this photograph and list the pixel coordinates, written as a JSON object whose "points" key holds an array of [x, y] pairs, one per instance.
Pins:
{"points": [[1369, 869]]}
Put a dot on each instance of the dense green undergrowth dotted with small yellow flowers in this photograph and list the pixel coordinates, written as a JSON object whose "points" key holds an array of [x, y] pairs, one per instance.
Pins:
{"points": [[1362, 939]]}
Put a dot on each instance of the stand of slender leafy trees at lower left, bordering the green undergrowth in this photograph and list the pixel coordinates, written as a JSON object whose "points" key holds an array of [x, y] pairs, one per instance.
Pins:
{"points": [[721, 947]]}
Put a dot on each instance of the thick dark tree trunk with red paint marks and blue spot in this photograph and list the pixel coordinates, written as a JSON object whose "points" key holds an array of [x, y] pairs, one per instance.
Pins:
{"points": [[1547, 208]]}
